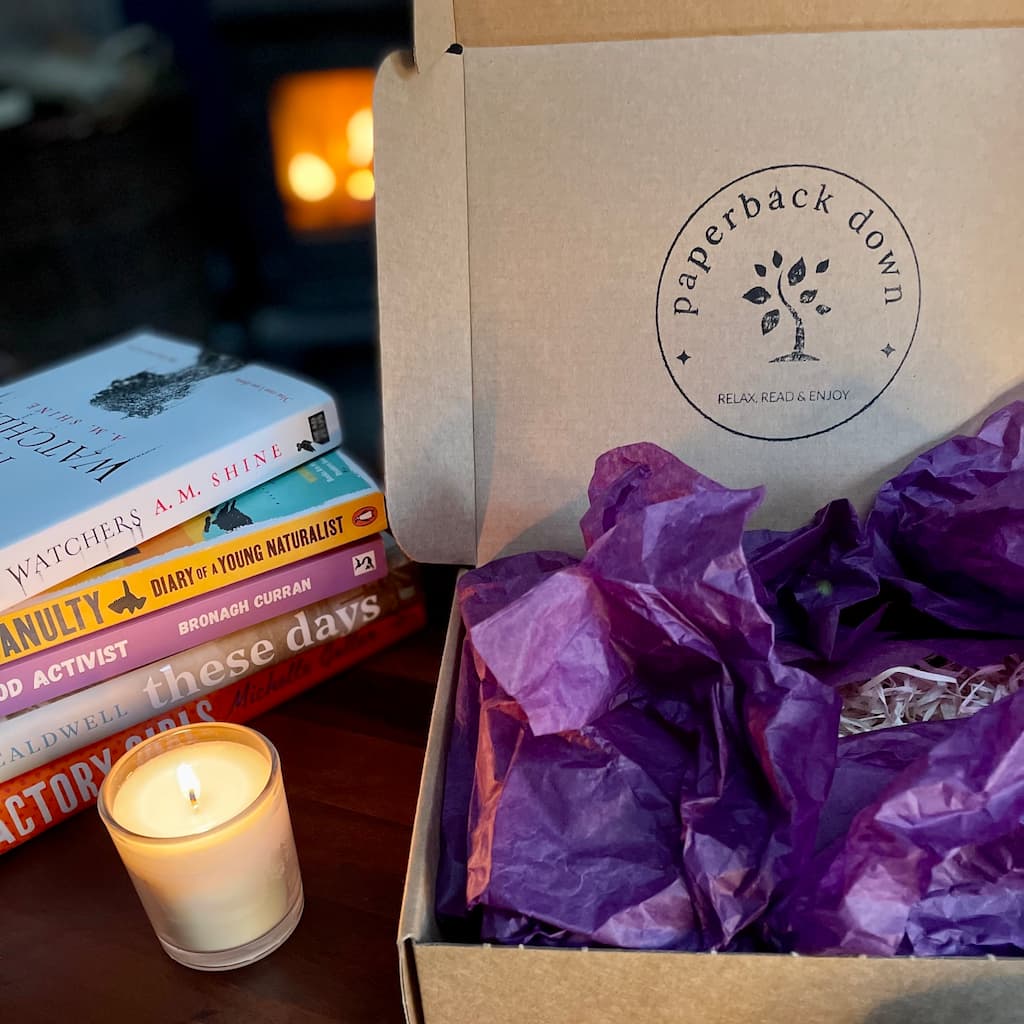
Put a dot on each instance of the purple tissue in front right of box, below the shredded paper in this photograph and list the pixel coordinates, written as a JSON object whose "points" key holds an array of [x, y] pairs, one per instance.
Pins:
{"points": [[929, 855]]}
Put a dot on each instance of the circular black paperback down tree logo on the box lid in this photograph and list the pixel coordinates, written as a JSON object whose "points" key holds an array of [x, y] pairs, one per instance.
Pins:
{"points": [[788, 303]]}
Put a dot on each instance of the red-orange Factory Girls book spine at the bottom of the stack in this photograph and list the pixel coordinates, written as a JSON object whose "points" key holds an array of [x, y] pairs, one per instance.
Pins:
{"points": [[36, 801]]}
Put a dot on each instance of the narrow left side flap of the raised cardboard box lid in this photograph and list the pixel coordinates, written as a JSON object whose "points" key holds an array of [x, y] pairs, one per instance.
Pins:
{"points": [[426, 368]]}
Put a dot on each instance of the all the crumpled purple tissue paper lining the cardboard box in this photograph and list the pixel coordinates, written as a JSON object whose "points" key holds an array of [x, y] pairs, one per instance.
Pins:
{"points": [[646, 747]]}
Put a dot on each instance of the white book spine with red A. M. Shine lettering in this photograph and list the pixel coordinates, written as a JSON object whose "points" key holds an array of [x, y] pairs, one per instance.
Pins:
{"points": [[60, 552]]}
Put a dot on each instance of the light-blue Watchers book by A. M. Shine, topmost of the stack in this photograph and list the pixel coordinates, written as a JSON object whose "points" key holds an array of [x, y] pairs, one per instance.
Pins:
{"points": [[104, 452]]}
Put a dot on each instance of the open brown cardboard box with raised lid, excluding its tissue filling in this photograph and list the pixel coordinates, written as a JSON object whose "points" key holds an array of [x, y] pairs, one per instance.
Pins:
{"points": [[590, 218]]}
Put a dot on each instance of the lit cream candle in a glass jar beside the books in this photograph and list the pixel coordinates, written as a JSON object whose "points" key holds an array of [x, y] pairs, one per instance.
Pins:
{"points": [[200, 820]]}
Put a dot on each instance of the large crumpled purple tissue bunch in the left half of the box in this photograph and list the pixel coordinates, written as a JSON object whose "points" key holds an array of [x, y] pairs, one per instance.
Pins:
{"points": [[647, 771]]}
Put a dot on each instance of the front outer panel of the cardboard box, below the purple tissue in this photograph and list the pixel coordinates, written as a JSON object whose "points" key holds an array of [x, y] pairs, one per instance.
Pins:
{"points": [[513, 986]]}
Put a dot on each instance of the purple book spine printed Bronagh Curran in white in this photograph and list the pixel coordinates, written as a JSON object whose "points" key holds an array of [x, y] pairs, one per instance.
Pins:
{"points": [[93, 659]]}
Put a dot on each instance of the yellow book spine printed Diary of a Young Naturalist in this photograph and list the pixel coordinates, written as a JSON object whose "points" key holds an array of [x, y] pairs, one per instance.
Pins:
{"points": [[144, 590]]}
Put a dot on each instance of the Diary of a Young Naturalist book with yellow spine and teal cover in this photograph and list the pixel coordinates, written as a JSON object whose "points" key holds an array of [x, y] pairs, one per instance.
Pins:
{"points": [[322, 505]]}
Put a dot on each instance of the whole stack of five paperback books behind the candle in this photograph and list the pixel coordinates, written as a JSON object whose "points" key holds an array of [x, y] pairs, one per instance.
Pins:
{"points": [[185, 542]]}
